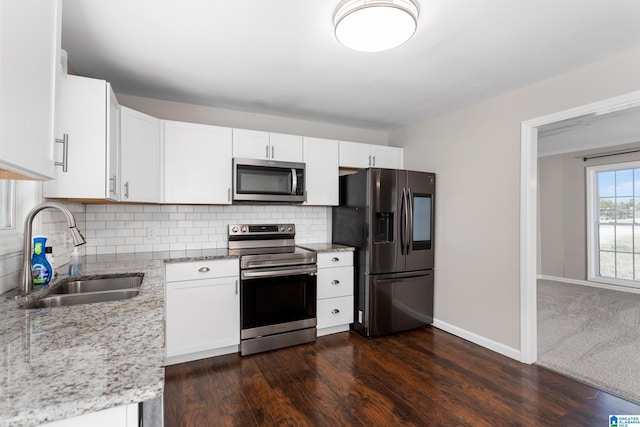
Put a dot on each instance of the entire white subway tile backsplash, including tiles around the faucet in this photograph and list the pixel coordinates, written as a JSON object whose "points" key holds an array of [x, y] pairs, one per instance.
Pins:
{"points": [[127, 228]]}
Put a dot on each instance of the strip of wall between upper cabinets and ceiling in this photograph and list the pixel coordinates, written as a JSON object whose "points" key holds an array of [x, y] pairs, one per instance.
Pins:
{"points": [[238, 119]]}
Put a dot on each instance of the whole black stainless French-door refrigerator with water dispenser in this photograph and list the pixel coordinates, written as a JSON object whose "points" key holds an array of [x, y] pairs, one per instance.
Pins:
{"points": [[388, 216]]}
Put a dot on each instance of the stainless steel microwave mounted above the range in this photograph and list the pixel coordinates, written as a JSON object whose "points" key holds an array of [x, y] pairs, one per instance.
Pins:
{"points": [[268, 181]]}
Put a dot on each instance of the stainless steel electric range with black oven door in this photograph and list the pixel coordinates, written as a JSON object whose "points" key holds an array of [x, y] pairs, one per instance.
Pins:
{"points": [[277, 287]]}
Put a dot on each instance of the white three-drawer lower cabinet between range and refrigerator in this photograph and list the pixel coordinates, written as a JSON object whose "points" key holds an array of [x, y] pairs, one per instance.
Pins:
{"points": [[335, 292]]}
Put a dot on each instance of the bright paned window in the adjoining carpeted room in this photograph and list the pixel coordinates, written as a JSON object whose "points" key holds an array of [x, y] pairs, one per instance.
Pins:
{"points": [[613, 218]]}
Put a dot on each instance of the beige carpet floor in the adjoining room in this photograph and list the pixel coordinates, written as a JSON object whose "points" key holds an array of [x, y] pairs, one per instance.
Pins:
{"points": [[591, 334]]}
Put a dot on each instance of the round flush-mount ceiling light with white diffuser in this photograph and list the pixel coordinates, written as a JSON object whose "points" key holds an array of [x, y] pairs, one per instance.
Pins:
{"points": [[375, 25]]}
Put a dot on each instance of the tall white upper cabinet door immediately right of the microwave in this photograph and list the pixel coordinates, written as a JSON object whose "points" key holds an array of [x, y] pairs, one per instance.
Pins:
{"points": [[321, 158]]}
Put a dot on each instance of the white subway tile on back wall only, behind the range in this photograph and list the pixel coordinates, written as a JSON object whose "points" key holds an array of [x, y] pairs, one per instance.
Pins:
{"points": [[120, 228]]}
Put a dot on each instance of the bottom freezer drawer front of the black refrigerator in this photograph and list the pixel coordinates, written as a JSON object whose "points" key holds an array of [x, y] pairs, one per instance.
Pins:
{"points": [[400, 302]]}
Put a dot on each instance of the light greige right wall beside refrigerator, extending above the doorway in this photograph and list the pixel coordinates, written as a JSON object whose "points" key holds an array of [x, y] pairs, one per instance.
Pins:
{"points": [[475, 153]]}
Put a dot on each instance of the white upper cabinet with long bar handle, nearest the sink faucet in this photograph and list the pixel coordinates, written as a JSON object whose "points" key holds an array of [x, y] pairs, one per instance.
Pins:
{"points": [[87, 117]]}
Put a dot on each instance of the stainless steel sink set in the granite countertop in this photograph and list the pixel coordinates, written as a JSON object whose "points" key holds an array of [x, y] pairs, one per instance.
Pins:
{"points": [[91, 290]]}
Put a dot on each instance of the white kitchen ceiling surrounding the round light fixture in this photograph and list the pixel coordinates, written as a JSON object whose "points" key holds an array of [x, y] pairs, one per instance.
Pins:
{"points": [[280, 57]]}
